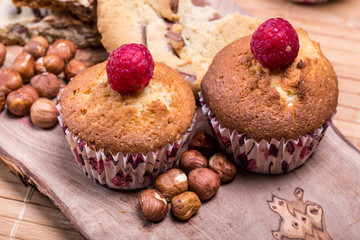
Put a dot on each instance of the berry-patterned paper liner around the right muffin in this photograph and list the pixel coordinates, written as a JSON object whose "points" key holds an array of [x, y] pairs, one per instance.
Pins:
{"points": [[263, 157]]}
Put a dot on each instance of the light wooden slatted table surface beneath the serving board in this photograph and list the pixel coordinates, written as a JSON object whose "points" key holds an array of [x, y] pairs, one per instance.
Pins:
{"points": [[27, 214]]}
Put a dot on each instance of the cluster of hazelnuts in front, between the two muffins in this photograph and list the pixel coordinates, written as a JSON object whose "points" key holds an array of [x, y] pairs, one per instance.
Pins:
{"points": [[196, 172]]}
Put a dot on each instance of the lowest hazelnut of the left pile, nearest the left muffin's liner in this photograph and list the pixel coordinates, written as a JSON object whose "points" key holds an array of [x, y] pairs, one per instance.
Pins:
{"points": [[43, 113]]}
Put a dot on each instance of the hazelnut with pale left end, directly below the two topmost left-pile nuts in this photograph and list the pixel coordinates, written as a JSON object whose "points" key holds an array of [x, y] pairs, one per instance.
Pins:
{"points": [[49, 63]]}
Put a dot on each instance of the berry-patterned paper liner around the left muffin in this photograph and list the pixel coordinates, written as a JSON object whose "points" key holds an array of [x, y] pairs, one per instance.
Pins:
{"points": [[124, 171]]}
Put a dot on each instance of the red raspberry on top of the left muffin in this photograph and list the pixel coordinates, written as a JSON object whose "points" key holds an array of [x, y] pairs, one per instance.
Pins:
{"points": [[130, 68]]}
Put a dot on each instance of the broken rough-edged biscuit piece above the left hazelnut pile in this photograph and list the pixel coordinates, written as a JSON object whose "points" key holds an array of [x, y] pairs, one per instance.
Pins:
{"points": [[20, 24]]}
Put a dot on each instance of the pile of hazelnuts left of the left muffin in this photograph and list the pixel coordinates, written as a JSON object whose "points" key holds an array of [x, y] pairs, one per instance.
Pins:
{"points": [[32, 80]]}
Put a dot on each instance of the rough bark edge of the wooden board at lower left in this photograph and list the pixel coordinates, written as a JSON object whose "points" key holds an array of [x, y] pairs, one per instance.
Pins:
{"points": [[23, 173]]}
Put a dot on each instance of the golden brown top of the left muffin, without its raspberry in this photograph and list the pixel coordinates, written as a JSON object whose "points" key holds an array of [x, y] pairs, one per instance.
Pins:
{"points": [[137, 123]]}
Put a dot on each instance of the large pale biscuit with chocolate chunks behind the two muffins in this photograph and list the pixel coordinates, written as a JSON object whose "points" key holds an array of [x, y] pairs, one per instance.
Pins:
{"points": [[184, 36]]}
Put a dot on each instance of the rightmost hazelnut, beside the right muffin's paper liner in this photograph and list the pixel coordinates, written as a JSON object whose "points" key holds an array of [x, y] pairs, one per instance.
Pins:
{"points": [[223, 167]]}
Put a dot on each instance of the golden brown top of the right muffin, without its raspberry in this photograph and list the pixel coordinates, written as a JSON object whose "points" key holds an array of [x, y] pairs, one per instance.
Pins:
{"points": [[264, 103]]}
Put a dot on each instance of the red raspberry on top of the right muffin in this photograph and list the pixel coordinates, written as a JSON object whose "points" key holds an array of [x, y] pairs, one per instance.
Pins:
{"points": [[275, 43]]}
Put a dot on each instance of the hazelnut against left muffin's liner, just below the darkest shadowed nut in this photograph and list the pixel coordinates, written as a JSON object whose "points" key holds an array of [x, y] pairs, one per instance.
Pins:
{"points": [[192, 159]]}
